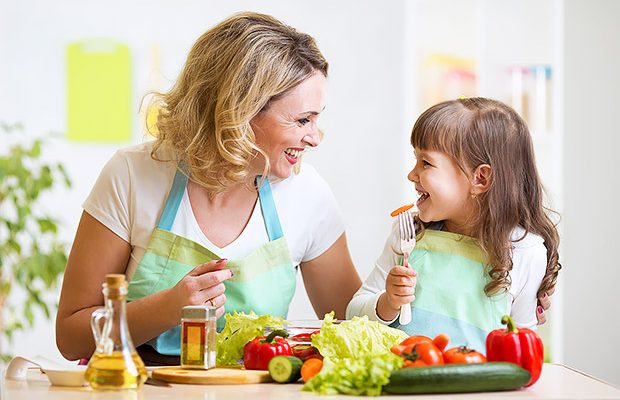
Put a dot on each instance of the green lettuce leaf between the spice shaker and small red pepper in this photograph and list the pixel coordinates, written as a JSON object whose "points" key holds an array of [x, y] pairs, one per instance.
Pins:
{"points": [[240, 328]]}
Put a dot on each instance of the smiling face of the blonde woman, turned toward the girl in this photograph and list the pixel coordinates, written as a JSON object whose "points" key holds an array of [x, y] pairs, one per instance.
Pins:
{"points": [[289, 126]]}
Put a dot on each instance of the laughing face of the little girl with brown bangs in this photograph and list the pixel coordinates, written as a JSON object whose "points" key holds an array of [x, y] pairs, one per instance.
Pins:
{"points": [[444, 189]]}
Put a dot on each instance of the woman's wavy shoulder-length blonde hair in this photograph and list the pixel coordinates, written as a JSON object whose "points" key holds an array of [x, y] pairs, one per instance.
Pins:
{"points": [[232, 72]]}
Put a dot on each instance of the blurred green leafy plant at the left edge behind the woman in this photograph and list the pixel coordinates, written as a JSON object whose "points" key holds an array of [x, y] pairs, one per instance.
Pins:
{"points": [[32, 256]]}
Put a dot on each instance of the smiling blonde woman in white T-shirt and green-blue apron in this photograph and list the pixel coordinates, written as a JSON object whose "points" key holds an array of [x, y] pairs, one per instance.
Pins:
{"points": [[214, 211]]}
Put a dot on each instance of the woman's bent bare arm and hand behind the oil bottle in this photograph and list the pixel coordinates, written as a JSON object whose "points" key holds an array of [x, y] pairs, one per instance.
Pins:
{"points": [[97, 251]]}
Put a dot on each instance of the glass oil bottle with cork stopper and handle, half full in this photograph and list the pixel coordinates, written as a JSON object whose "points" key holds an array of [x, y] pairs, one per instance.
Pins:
{"points": [[115, 363]]}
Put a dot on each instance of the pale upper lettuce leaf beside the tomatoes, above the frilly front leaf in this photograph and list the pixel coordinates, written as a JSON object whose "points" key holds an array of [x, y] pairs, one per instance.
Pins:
{"points": [[355, 337]]}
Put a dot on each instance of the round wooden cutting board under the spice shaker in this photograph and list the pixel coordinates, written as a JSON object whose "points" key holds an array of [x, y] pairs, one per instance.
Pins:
{"points": [[214, 376]]}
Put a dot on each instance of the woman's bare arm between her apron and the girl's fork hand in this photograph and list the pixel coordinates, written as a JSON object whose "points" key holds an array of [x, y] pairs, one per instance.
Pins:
{"points": [[331, 279]]}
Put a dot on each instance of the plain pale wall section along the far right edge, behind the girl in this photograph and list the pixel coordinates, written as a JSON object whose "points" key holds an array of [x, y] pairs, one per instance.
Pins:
{"points": [[591, 106]]}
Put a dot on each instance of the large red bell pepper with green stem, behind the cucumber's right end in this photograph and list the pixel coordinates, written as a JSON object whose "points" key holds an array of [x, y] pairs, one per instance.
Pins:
{"points": [[520, 346]]}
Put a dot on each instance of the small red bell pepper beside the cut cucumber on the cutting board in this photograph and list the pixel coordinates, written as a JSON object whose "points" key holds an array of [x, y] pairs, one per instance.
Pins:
{"points": [[259, 351]]}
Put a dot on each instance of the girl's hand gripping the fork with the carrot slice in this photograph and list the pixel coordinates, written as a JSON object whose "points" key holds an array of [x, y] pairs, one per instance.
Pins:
{"points": [[399, 290]]}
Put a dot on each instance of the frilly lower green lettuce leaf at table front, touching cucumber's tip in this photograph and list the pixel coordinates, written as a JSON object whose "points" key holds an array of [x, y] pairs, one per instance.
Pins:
{"points": [[364, 375]]}
